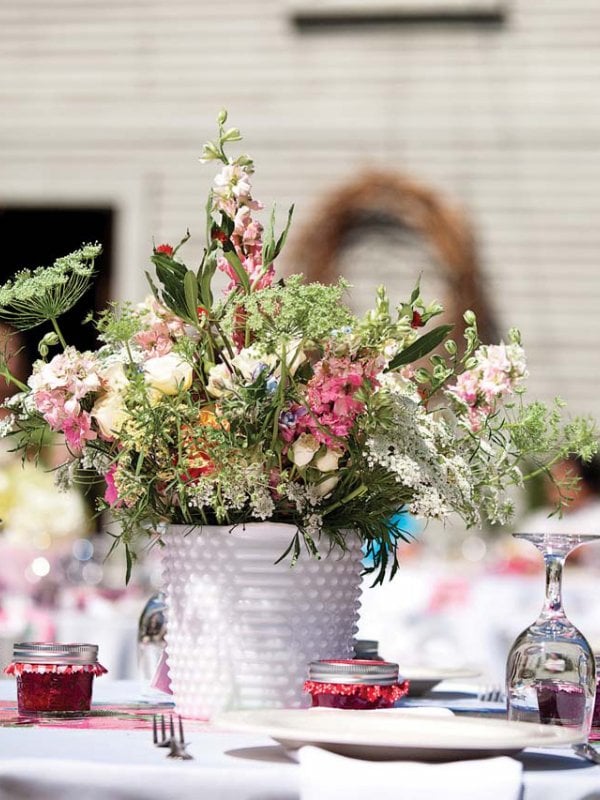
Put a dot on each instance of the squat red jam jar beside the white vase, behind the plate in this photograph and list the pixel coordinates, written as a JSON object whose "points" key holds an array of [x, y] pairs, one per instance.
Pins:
{"points": [[358, 684]]}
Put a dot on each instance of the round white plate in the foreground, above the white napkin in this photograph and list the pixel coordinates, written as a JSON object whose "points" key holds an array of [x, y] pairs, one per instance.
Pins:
{"points": [[395, 734]]}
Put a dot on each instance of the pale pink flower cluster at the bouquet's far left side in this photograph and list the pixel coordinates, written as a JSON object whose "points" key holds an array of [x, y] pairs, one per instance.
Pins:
{"points": [[59, 386]]}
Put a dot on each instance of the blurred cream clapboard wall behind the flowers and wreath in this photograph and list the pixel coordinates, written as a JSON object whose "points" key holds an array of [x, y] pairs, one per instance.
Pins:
{"points": [[109, 101]]}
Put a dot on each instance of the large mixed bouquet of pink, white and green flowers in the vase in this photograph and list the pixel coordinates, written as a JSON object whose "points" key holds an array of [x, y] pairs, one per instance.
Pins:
{"points": [[274, 401]]}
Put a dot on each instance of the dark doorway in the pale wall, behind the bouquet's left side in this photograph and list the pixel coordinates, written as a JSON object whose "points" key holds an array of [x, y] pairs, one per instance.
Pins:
{"points": [[36, 236]]}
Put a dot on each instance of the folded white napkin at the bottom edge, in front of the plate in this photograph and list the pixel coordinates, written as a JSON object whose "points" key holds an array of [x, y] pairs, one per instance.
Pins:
{"points": [[335, 777]]}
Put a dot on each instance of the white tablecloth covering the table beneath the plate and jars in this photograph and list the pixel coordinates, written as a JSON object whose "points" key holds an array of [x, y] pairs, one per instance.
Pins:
{"points": [[93, 764]]}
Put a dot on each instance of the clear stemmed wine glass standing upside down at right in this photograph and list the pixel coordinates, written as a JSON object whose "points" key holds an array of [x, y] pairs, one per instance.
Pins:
{"points": [[550, 672]]}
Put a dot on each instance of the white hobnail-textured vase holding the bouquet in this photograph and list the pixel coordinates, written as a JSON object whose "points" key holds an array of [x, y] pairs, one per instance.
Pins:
{"points": [[242, 629]]}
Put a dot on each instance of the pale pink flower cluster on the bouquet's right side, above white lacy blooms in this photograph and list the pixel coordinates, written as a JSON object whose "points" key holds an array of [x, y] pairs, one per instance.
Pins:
{"points": [[498, 371]]}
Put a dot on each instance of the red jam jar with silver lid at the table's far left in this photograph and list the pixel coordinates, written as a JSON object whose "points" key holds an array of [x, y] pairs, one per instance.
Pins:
{"points": [[53, 679]]}
